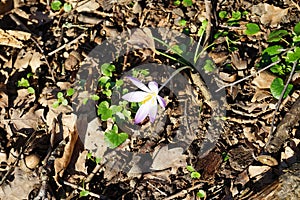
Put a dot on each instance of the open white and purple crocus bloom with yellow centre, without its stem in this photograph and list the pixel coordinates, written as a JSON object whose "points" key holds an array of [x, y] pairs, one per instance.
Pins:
{"points": [[148, 97]]}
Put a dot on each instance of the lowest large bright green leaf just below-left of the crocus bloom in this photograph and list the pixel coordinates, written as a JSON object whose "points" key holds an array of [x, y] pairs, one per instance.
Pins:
{"points": [[113, 138]]}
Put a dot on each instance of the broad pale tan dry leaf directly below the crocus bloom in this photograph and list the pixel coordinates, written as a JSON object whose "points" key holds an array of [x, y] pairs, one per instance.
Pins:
{"points": [[164, 158]]}
